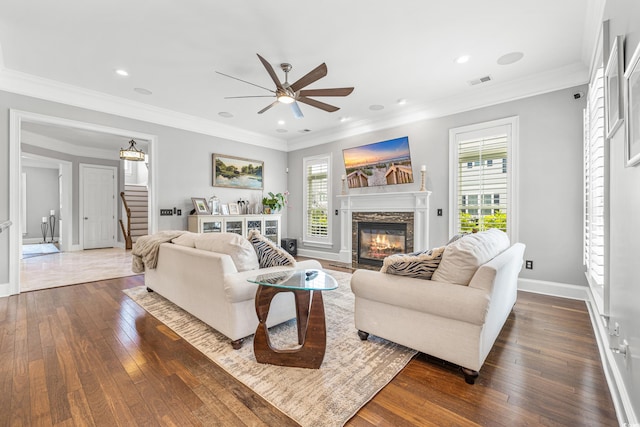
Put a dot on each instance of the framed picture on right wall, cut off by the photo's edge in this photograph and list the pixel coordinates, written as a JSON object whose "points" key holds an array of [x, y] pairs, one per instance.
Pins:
{"points": [[632, 98]]}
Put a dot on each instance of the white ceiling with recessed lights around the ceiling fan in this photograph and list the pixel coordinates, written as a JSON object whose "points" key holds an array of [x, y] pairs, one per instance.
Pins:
{"points": [[388, 51]]}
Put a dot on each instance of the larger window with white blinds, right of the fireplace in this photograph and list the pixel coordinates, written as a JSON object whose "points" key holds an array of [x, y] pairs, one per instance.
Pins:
{"points": [[482, 178]]}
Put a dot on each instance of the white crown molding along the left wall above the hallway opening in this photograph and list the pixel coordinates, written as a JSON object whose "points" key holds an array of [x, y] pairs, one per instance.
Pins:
{"points": [[38, 87]]}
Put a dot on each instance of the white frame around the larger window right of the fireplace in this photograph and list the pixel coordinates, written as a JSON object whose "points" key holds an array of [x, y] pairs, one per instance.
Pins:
{"points": [[510, 125]]}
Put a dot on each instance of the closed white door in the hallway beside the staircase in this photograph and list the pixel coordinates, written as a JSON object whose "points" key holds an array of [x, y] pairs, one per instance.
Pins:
{"points": [[98, 204]]}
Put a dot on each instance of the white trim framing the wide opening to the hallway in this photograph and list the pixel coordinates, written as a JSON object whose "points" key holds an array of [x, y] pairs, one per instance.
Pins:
{"points": [[18, 120]]}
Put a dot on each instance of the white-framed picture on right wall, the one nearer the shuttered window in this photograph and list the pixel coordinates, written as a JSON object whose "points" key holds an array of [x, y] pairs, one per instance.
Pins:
{"points": [[614, 88]]}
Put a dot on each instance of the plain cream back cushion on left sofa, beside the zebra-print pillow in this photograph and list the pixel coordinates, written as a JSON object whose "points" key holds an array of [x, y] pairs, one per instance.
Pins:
{"points": [[234, 245]]}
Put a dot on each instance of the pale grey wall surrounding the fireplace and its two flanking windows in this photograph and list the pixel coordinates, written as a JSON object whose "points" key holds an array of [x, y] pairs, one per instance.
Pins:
{"points": [[550, 168]]}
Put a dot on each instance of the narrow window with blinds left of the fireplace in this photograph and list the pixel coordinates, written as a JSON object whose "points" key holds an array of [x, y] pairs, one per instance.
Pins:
{"points": [[317, 199]]}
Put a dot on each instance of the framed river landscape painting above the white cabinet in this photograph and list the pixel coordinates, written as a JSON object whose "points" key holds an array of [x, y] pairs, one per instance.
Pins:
{"points": [[236, 172]]}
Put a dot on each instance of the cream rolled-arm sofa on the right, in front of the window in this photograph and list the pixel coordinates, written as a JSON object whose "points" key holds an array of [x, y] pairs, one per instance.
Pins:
{"points": [[458, 323]]}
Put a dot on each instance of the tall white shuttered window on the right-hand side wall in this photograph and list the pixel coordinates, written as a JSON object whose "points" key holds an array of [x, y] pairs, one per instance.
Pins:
{"points": [[594, 182]]}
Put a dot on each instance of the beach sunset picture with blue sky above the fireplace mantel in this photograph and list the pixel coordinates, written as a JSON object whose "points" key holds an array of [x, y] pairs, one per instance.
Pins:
{"points": [[381, 163]]}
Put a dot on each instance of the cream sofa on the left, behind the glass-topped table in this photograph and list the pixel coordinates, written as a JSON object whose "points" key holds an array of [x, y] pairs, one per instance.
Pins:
{"points": [[212, 285]]}
